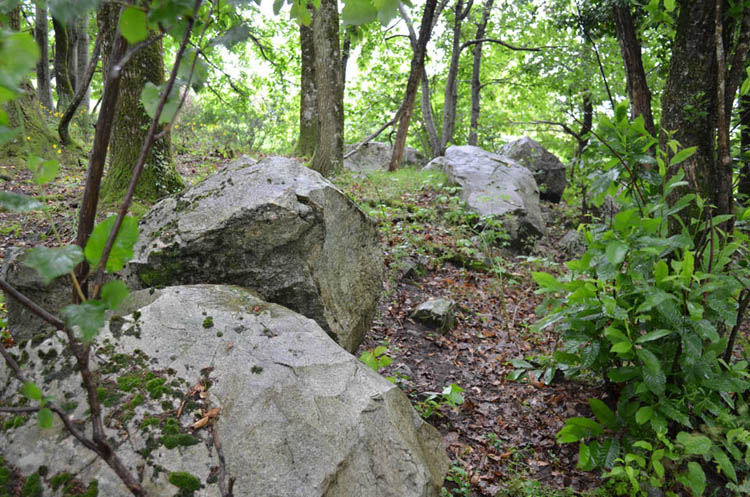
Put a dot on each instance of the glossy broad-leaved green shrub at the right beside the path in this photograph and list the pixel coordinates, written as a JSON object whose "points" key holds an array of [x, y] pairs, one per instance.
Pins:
{"points": [[650, 311]]}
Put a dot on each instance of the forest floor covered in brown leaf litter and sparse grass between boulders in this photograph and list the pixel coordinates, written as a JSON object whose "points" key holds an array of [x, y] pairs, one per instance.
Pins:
{"points": [[501, 439]]}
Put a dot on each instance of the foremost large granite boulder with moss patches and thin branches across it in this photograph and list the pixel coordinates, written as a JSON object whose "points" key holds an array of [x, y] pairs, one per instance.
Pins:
{"points": [[294, 415]]}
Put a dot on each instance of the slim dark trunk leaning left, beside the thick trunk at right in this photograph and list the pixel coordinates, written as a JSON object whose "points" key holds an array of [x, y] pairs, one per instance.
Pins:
{"points": [[630, 47]]}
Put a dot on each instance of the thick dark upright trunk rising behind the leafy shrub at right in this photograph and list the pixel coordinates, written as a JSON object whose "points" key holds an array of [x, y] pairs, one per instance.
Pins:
{"points": [[689, 99]]}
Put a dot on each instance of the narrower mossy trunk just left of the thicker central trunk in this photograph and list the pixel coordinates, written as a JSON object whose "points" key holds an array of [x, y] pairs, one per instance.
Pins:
{"points": [[308, 116]]}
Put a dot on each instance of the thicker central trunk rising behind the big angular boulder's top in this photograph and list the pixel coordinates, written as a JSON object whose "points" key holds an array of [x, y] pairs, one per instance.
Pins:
{"points": [[329, 153]]}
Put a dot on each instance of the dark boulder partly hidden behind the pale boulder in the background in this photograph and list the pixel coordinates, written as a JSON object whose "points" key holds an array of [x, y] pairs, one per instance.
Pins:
{"points": [[549, 172]]}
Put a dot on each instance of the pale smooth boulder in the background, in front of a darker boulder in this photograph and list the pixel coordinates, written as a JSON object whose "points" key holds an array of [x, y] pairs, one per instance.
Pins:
{"points": [[493, 185]]}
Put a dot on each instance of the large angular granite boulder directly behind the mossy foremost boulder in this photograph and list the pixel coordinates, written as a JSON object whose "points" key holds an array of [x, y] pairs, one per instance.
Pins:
{"points": [[276, 227]]}
